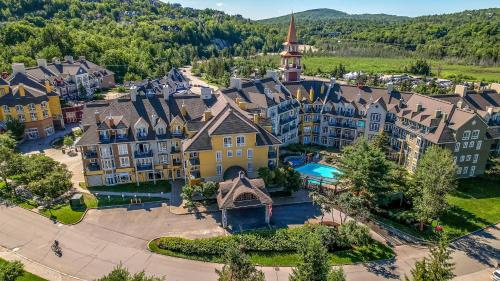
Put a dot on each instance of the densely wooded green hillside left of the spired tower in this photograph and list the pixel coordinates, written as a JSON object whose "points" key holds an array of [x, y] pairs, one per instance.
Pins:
{"points": [[135, 38]]}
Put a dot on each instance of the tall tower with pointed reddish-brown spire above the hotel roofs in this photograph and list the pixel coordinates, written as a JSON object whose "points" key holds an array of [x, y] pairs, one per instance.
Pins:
{"points": [[290, 57]]}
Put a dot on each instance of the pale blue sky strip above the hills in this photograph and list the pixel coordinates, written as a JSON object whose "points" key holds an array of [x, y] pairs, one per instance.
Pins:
{"points": [[258, 9]]}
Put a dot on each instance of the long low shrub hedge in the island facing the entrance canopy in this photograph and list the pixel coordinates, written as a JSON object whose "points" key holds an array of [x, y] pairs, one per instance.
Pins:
{"points": [[280, 240]]}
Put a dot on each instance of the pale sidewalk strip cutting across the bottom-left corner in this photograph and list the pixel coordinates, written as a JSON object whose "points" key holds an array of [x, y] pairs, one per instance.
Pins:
{"points": [[36, 268]]}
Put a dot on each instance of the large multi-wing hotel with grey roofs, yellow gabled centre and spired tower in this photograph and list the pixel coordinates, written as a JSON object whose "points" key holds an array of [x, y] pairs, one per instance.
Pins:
{"points": [[160, 132]]}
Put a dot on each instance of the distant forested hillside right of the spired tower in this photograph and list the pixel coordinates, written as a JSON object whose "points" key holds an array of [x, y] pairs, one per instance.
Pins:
{"points": [[469, 36]]}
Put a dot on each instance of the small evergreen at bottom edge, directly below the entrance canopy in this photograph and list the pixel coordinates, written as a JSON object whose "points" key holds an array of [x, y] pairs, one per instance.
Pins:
{"points": [[238, 267]]}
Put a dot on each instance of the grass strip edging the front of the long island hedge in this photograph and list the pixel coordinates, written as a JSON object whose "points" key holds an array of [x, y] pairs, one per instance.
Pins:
{"points": [[375, 251]]}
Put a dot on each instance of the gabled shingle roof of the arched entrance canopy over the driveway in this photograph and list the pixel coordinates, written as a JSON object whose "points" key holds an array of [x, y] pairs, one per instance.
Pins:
{"points": [[229, 191]]}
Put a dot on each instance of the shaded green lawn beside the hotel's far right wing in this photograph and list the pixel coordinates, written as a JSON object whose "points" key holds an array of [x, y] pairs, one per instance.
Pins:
{"points": [[474, 205]]}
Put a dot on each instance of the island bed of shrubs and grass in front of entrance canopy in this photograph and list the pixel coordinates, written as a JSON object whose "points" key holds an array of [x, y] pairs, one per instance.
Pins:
{"points": [[279, 247]]}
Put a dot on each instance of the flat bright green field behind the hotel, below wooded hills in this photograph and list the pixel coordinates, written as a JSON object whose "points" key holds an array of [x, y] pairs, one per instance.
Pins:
{"points": [[396, 65]]}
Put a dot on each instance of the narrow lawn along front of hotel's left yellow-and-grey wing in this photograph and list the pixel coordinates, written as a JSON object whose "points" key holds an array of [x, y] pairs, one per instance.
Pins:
{"points": [[65, 214]]}
